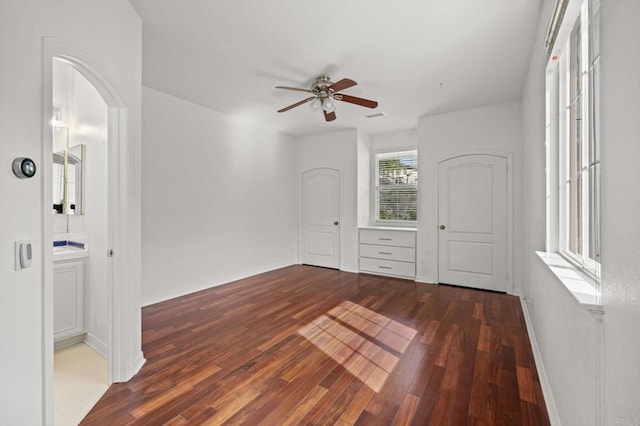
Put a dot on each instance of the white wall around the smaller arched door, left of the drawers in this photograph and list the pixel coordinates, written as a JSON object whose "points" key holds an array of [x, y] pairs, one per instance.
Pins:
{"points": [[337, 150]]}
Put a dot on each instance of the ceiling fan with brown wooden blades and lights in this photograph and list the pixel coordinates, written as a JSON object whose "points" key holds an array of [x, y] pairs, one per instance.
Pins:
{"points": [[324, 92]]}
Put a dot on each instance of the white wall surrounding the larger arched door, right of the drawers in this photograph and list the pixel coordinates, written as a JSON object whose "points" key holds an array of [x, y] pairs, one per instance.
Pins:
{"points": [[495, 128]]}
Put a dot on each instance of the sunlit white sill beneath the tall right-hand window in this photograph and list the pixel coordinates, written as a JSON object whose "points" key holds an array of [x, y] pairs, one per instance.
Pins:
{"points": [[580, 285]]}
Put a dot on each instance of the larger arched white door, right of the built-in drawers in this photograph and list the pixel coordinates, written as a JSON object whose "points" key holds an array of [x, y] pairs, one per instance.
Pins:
{"points": [[472, 199]]}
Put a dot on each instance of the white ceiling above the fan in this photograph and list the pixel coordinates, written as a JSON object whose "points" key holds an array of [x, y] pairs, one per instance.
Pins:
{"points": [[415, 57]]}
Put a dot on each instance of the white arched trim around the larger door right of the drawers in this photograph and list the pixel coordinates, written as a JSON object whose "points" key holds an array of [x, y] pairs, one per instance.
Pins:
{"points": [[510, 229]]}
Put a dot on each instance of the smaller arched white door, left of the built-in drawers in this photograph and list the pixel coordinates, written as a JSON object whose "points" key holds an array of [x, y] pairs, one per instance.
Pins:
{"points": [[320, 245]]}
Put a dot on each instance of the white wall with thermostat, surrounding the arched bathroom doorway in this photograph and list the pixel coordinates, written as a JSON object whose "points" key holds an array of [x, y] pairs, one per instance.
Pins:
{"points": [[110, 33]]}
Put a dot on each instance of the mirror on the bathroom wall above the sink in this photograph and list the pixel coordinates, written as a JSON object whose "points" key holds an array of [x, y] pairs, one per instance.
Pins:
{"points": [[68, 174]]}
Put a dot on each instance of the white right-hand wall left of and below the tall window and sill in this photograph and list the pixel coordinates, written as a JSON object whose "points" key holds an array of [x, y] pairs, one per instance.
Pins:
{"points": [[565, 332]]}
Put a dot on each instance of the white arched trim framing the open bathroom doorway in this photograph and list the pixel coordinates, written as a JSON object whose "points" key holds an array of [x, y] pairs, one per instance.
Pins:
{"points": [[125, 355]]}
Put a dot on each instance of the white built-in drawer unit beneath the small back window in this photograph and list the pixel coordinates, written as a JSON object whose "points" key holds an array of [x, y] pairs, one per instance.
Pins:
{"points": [[388, 251]]}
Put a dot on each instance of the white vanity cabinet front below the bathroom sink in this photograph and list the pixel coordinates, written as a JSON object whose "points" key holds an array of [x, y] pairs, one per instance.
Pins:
{"points": [[68, 299]]}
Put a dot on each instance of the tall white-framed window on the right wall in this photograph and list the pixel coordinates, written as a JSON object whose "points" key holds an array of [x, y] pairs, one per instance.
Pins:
{"points": [[572, 128]]}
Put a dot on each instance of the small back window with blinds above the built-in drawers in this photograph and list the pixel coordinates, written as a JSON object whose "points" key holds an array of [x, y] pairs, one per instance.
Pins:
{"points": [[396, 186]]}
